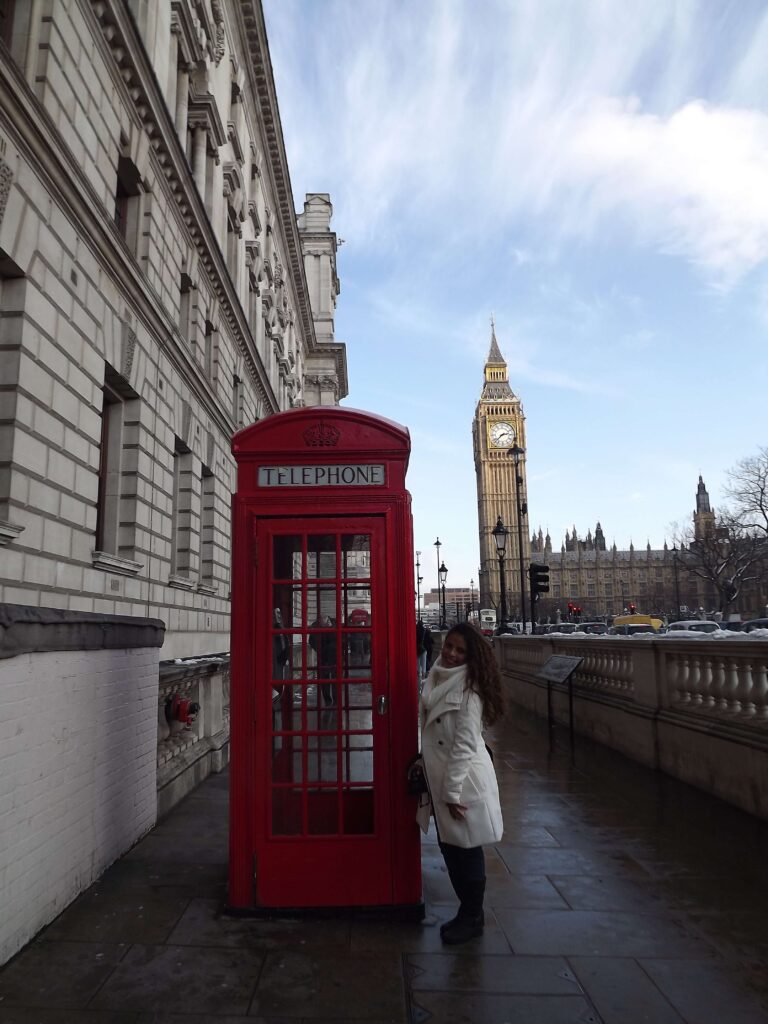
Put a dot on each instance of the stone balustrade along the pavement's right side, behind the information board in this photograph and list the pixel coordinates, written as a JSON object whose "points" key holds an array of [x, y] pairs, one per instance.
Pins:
{"points": [[696, 709]]}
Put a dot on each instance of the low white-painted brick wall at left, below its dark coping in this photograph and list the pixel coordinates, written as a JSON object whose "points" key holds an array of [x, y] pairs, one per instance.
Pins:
{"points": [[78, 746]]}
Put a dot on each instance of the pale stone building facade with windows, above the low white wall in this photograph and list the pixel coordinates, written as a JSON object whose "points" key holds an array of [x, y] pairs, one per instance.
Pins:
{"points": [[157, 293]]}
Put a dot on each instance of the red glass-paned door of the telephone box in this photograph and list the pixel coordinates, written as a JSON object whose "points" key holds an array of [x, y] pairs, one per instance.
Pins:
{"points": [[322, 713]]}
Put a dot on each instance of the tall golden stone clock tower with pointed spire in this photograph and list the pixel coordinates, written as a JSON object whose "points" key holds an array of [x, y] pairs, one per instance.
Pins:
{"points": [[498, 426]]}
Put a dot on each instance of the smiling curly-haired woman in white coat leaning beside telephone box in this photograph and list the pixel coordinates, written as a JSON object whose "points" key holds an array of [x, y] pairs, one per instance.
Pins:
{"points": [[462, 694]]}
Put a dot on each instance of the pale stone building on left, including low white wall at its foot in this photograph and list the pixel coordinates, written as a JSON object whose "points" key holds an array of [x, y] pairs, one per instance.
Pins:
{"points": [[158, 293]]}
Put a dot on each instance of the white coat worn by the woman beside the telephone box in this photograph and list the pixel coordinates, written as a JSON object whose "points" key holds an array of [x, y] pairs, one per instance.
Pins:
{"points": [[457, 763]]}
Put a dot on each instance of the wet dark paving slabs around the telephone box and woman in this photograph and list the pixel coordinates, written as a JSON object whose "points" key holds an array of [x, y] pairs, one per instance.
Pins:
{"points": [[618, 897]]}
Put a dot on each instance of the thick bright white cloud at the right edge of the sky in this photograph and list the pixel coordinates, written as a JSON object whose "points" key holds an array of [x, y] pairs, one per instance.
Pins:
{"points": [[696, 184]]}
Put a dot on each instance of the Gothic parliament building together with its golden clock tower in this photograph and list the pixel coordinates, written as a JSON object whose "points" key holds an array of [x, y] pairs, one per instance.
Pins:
{"points": [[584, 571]]}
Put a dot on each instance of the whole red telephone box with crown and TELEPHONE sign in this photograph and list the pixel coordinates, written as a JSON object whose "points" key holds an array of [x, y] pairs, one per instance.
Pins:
{"points": [[324, 694]]}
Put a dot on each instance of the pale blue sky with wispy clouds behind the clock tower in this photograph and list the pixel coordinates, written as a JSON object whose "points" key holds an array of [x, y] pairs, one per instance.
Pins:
{"points": [[594, 176]]}
